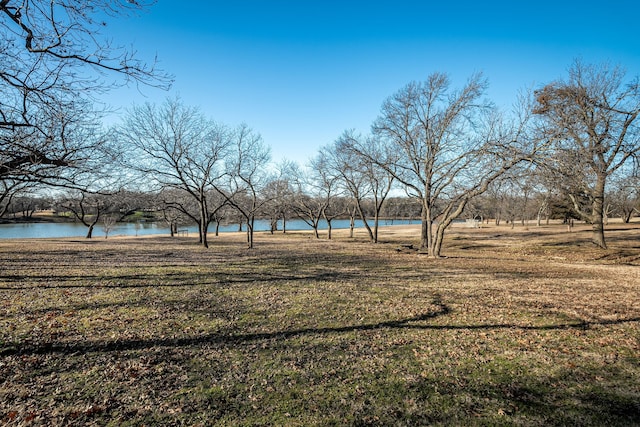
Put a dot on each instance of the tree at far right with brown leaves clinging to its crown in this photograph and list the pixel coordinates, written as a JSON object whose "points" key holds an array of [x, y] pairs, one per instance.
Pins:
{"points": [[592, 120]]}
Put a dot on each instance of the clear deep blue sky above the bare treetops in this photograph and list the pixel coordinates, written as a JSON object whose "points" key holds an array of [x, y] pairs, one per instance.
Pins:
{"points": [[301, 72]]}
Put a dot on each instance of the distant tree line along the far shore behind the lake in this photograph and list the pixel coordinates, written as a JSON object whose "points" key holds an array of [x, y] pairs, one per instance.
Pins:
{"points": [[504, 204]]}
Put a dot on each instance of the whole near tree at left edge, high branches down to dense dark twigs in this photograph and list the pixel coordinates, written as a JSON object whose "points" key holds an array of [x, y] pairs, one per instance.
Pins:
{"points": [[54, 59]]}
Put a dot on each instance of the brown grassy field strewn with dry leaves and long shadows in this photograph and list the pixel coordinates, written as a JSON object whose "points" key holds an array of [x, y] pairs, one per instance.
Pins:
{"points": [[514, 327]]}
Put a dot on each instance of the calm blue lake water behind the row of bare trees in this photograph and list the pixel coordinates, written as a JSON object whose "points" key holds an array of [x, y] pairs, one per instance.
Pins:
{"points": [[53, 230]]}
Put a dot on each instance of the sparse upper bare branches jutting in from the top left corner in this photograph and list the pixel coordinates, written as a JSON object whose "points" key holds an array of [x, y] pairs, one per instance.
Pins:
{"points": [[55, 51]]}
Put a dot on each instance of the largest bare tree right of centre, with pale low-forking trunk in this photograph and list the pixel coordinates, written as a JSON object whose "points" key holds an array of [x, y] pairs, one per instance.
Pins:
{"points": [[446, 147]]}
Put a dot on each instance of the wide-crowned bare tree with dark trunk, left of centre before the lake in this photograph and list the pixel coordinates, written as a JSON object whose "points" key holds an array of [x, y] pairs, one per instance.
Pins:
{"points": [[177, 147]]}
